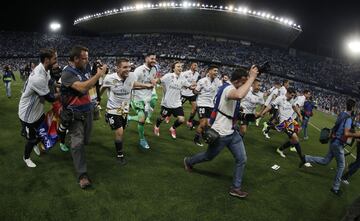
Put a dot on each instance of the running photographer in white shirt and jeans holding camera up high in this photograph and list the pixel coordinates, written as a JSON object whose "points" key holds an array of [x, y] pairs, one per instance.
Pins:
{"points": [[227, 107]]}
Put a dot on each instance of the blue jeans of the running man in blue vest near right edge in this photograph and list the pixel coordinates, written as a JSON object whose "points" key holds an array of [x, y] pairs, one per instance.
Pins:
{"points": [[337, 151]]}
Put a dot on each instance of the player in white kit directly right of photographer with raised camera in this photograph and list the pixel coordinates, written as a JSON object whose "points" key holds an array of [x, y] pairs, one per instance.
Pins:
{"points": [[248, 105]]}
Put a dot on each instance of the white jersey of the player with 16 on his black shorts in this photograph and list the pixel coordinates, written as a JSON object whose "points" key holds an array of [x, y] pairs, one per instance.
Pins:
{"points": [[119, 93]]}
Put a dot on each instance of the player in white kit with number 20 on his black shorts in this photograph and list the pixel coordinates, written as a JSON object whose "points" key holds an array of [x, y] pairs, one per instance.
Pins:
{"points": [[206, 90]]}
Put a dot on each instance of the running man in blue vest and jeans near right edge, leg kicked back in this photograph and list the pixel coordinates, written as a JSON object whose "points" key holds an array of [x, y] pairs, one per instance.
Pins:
{"points": [[340, 133]]}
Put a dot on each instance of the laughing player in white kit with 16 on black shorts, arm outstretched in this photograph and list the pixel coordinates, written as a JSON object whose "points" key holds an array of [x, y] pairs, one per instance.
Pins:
{"points": [[119, 86]]}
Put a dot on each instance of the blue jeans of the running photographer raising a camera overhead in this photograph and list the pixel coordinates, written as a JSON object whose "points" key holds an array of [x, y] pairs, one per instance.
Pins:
{"points": [[236, 146]]}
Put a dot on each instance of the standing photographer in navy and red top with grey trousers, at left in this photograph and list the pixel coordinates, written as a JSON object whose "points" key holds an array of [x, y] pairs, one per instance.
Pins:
{"points": [[76, 115]]}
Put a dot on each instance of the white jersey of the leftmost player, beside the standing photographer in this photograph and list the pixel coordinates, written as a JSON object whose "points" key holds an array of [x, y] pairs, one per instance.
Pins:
{"points": [[31, 105]]}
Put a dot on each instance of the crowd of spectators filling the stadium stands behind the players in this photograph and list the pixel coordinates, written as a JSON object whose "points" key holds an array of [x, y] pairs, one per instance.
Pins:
{"points": [[325, 76]]}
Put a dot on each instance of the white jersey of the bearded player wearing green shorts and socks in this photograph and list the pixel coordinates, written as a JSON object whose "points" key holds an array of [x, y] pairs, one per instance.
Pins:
{"points": [[144, 75]]}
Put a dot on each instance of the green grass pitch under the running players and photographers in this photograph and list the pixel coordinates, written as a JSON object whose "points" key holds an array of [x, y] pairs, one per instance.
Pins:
{"points": [[154, 186]]}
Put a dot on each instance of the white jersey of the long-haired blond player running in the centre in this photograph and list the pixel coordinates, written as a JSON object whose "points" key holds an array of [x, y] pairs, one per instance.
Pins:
{"points": [[172, 85]]}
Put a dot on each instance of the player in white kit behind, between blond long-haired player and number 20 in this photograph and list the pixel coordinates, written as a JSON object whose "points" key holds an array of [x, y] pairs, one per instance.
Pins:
{"points": [[192, 76]]}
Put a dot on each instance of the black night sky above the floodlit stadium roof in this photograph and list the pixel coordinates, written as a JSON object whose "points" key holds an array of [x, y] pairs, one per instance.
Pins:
{"points": [[325, 24]]}
